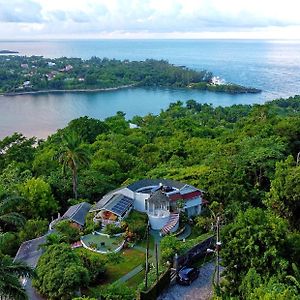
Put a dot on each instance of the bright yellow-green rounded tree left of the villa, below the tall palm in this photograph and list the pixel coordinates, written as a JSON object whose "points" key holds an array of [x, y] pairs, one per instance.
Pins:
{"points": [[38, 200]]}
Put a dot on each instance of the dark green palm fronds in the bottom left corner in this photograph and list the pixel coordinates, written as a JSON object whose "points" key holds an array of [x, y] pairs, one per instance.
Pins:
{"points": [[10, 274]]}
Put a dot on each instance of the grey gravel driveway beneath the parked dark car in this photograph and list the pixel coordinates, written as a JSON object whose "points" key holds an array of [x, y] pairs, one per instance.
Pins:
{"points": [[200, 289]]}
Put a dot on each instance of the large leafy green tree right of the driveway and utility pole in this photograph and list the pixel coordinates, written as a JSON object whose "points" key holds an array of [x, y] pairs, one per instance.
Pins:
{"points": [[256, 239]]}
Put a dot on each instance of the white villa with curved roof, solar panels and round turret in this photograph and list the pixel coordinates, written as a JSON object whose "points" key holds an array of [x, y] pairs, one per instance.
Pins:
{"points": [[160, 199]]}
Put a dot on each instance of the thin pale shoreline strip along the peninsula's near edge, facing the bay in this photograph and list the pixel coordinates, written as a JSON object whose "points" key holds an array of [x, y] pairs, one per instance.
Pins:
{"points": [[69, 91]]}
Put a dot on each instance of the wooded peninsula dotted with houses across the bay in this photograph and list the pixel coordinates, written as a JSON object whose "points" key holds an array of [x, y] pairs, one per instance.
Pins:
{"points": [[35, 74]]}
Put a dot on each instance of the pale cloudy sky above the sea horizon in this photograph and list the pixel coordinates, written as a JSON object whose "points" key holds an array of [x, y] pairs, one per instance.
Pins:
{"points": [[133, 19]]}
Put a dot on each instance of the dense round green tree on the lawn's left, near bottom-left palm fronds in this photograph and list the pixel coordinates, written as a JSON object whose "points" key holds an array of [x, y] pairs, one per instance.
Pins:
{"points": [[60, 272]]}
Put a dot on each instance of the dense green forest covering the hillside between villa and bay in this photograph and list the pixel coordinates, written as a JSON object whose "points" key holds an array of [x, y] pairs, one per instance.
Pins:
{"points": [[245, 158]]}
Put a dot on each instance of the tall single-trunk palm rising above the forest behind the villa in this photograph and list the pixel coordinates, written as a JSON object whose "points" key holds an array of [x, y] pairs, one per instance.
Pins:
{"points": [[71, 155]]}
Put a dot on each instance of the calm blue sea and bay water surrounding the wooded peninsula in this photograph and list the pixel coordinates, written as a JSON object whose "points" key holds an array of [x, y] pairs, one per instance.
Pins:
{"points": [[273, 66]]}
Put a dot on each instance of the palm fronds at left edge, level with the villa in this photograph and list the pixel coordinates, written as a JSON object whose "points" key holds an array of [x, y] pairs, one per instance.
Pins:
{"points": [[8, 216]]}
